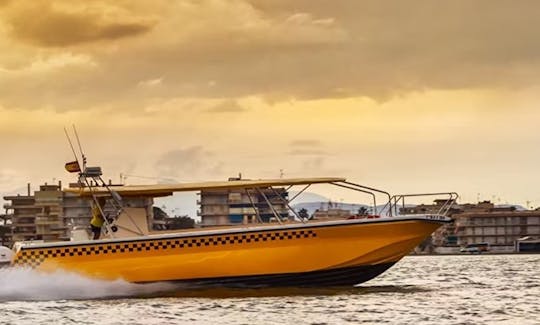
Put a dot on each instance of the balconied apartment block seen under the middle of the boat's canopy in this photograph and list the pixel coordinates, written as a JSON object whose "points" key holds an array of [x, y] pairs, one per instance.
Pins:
{"points": [[238, 206]]}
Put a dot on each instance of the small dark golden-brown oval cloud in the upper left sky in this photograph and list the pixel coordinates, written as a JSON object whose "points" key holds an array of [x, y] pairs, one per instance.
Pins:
{"points": [[51, 26]]}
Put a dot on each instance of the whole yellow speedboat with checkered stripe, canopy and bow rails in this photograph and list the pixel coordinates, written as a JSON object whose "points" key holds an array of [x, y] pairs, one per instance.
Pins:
{"points": [[331, 252]]}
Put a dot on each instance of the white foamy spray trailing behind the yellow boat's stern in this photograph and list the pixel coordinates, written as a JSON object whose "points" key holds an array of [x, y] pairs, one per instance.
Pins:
{"points": [[17, 284]]}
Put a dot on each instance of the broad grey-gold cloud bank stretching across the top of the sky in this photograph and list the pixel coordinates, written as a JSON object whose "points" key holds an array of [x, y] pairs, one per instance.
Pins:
{"points": [[276, 50]]}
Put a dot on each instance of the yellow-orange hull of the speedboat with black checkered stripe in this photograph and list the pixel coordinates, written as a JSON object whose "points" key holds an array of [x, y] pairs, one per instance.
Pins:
{"points": [[254, 253]]}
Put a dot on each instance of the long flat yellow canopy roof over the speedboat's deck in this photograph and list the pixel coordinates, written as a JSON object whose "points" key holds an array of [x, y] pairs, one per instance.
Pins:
{"points": [[168, 189]]}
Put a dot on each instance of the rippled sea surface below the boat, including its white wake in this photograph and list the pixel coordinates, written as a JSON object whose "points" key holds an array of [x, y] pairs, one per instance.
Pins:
{"points": [[490, 289]]}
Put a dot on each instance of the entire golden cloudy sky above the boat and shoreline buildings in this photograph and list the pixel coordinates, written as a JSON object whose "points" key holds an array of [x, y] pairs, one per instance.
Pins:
{"points": [[412, 96]]}
